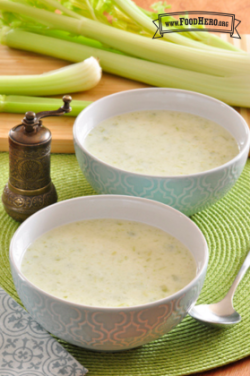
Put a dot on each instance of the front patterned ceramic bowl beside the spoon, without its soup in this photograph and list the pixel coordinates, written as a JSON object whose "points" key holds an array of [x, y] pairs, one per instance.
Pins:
{"points": [[108, 329]]}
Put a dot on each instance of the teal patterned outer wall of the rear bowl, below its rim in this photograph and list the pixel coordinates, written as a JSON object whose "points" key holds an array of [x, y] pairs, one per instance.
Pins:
{"points": [[188, 194]]}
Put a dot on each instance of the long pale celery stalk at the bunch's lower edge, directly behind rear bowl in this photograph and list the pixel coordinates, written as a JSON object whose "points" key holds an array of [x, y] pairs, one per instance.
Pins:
{"points": [[233, 90]]}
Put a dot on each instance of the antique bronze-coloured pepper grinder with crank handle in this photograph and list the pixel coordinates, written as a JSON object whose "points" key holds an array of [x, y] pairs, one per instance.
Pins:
{"points": [[29, 188]]}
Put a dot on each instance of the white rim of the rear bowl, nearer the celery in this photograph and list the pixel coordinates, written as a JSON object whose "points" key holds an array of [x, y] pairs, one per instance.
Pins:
{"points": [[179, 177]]}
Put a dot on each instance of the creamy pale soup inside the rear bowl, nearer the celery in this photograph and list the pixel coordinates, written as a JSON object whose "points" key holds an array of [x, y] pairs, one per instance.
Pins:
{"points": [[161, 143]]}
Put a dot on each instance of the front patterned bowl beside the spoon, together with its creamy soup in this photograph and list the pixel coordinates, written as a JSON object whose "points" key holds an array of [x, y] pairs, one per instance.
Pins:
{"points": [[108, 272]]}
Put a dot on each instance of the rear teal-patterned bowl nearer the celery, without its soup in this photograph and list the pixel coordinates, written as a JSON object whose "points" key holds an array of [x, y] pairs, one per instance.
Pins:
{"points": [[187, 193]]}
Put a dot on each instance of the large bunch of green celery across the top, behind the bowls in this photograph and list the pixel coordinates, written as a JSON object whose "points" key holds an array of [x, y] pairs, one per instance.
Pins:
{"points": [[76, 29]]}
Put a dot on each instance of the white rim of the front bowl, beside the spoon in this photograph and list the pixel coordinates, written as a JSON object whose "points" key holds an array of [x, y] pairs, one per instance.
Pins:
{"points": [[158, 302]]}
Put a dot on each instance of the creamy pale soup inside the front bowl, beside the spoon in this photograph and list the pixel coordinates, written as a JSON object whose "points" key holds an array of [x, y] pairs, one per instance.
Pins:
{"points": [[108, 263]]}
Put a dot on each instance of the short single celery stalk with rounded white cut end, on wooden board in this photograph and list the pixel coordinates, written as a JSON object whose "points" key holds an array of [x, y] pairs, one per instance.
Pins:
{"points": [[76, 77]]}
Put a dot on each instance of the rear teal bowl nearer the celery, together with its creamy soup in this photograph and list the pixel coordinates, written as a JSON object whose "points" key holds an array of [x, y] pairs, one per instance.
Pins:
{"points": [[178, 147]]}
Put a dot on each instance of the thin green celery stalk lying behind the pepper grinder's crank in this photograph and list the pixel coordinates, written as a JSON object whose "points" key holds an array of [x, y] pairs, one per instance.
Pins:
{"points": [[21, 104]]}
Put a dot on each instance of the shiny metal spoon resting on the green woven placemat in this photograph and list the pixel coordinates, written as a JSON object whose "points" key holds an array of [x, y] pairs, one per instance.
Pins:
{"points": [[223, 312]]}
